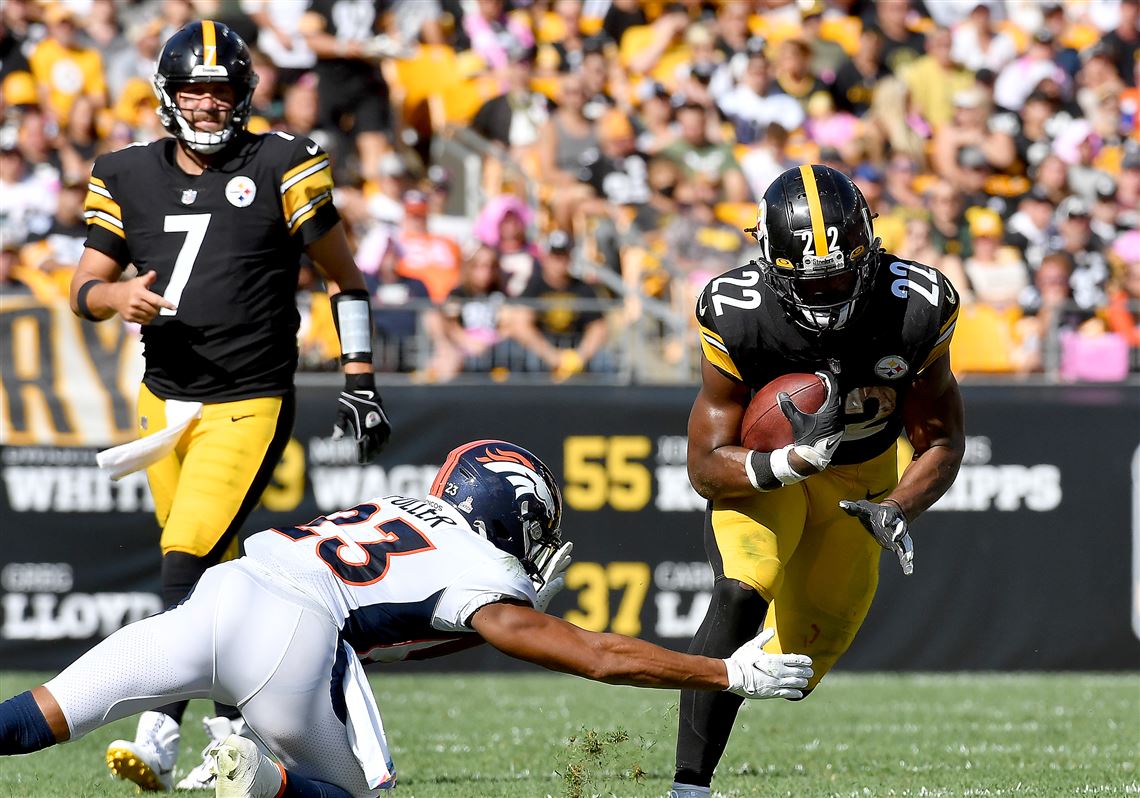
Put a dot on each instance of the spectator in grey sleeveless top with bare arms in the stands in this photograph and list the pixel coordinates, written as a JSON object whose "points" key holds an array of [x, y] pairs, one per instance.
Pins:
{"points": [[567, 140]]}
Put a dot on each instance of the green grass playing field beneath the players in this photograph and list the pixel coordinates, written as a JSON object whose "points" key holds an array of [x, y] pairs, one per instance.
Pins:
{"points": [[859, 736]]}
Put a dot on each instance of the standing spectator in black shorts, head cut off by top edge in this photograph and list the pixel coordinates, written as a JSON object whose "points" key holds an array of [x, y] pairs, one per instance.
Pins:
{"points": [[354, 94]]}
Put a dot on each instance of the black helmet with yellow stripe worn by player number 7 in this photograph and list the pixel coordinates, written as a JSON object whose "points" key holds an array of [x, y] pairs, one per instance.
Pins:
{"points": [[205, 52]]}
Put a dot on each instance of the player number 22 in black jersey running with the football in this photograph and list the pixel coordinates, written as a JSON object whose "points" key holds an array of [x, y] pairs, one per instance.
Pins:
{"points": [[787, 531]]}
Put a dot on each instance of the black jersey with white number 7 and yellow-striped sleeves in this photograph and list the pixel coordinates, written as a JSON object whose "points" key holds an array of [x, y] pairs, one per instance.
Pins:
{"points": [[226, 247]]}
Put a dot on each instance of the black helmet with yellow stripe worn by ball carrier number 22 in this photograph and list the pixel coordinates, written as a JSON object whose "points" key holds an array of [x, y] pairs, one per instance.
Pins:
{"points": [[819, 251]]}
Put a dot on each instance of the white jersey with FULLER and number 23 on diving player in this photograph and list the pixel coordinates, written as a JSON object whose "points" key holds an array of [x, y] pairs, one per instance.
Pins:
{"points": [[396, 574]]}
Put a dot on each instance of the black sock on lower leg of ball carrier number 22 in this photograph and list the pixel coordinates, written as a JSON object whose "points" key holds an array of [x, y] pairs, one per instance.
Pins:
{"points": [[734, 618]]}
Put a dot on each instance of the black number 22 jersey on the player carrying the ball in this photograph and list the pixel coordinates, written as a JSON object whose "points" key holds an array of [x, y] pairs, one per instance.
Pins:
{"points": [[907, 325]]}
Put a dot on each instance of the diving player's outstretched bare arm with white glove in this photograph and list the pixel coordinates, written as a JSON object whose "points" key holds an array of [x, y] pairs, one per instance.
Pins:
{"points": [[553, 644]]}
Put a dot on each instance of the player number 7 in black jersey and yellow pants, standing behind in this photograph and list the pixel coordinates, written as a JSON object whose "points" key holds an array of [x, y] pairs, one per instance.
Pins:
{"points": [[216, 221]]}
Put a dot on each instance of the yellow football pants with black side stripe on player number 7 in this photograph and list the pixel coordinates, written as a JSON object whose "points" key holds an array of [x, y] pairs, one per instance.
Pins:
{"points": [[208, 486]]}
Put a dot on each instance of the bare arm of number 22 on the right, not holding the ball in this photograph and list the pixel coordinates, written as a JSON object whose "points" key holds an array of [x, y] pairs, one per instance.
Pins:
{"points": [[935, 420]]}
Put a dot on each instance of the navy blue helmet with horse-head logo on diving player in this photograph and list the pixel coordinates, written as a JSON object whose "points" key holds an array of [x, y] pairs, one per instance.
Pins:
{"points": [[509, 496]]}
